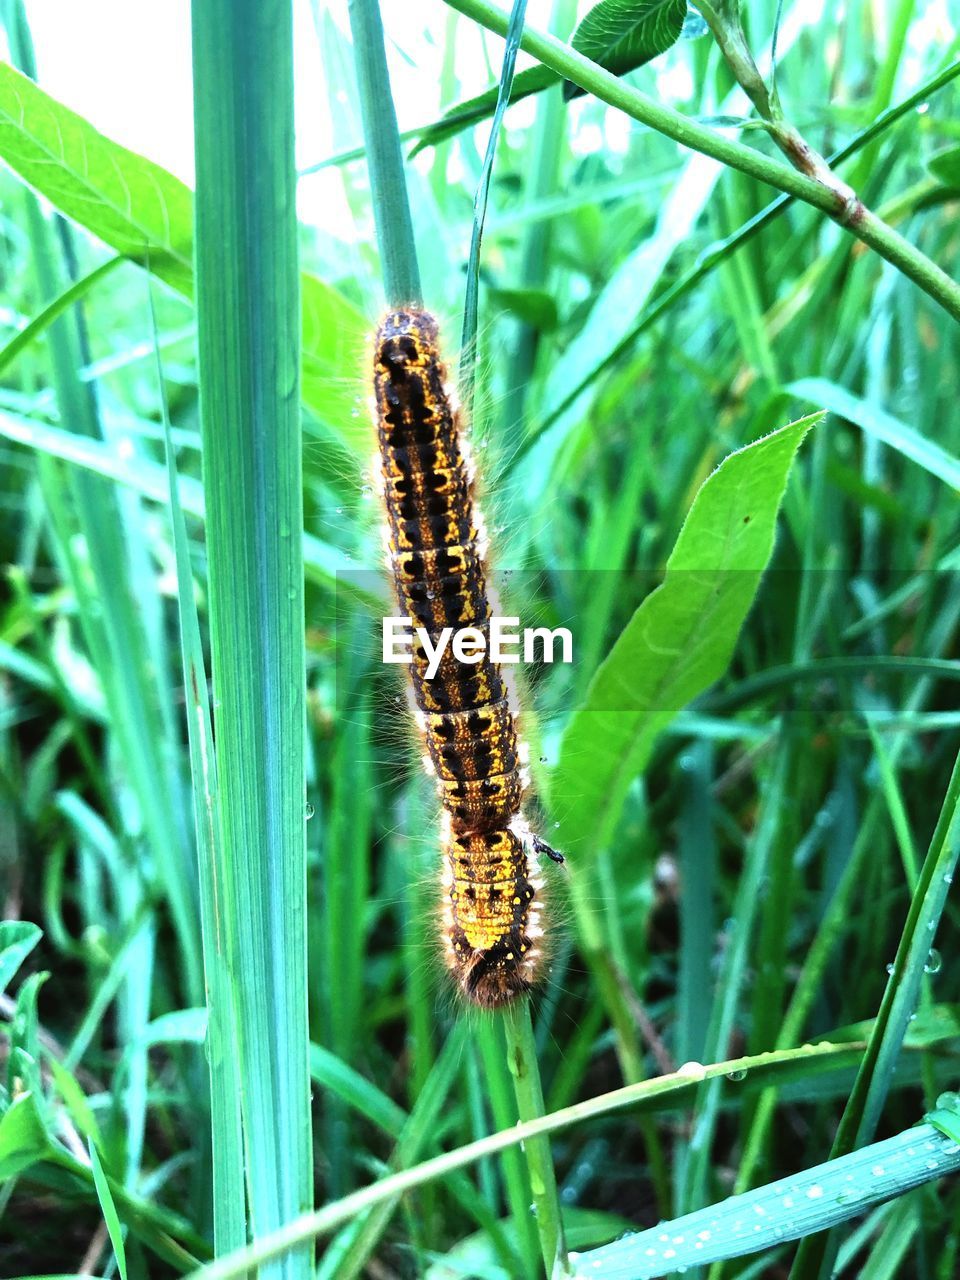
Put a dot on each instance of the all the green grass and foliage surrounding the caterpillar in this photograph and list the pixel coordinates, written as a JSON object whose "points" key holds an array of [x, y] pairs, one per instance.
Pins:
{"points": [[752, 766]]}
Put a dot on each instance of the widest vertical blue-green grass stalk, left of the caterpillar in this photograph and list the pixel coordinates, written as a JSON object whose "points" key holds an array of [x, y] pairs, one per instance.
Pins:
{"points": [[249, 333]]}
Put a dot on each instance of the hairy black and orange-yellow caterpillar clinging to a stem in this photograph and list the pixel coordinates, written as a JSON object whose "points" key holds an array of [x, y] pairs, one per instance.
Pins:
{"points": [[437, 550]]}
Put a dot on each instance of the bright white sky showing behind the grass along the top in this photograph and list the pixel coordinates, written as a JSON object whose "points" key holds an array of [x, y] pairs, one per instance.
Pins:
{"points": [[126, 66]]}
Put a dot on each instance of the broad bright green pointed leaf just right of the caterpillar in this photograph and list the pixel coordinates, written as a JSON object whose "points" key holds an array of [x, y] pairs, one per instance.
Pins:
{"points": [[679, 642]]}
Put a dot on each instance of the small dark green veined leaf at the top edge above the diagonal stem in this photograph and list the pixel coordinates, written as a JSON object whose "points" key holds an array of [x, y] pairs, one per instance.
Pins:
{"points": [[623, 35]]}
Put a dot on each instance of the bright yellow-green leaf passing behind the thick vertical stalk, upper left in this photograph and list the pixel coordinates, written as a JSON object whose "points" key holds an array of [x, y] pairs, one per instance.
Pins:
{"points": [[147, 214]]}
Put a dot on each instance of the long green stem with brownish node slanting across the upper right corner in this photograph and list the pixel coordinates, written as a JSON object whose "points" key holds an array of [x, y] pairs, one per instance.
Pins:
{"points": [[830, 200]]}
